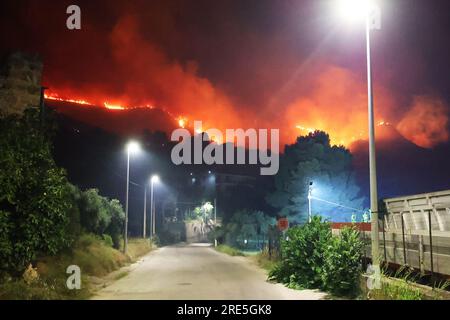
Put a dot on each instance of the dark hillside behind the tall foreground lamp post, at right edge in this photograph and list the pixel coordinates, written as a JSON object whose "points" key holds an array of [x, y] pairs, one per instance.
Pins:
{"points": [[402, 167]]}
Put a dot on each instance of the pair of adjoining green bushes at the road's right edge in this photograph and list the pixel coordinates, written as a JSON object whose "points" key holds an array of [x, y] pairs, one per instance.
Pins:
{"points": [[312, 258]]}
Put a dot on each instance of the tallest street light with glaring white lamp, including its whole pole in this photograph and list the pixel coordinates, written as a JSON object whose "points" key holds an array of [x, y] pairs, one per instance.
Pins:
{"points": [[367, 10]]}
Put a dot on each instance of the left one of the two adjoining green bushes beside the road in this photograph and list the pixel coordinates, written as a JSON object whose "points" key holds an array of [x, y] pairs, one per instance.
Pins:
{"points": [[303, 255]]}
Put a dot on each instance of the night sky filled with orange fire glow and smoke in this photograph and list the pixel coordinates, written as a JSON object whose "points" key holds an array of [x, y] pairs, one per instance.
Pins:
{"points": [[259, 63]]}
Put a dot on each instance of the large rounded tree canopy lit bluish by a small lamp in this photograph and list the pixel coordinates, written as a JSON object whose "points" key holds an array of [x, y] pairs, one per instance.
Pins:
{"points": [[313, 159]]}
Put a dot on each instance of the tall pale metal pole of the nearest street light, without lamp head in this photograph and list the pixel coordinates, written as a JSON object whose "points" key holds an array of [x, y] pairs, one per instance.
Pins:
{"points": [[372, 157]]}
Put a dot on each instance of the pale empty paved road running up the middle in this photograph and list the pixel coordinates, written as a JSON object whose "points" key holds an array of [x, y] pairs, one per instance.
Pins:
{"points": [[189, 272]]}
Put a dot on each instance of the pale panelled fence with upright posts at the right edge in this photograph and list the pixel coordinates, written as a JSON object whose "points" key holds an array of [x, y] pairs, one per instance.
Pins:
{"points": [[415, 231]]}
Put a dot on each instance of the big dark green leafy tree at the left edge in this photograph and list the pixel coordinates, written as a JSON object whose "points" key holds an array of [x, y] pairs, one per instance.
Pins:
{"points": [[34, 193]]}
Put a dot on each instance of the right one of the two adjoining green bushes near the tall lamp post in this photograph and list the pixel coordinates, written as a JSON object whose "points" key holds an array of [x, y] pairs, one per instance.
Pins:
{"points": [[342, 267]]}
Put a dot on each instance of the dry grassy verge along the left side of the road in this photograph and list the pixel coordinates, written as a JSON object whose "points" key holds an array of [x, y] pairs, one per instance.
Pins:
{"points": [[91, 253]]}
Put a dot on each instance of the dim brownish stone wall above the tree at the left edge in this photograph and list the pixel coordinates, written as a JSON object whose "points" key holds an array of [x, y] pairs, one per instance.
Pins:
{"points": [[20, 82]]}
